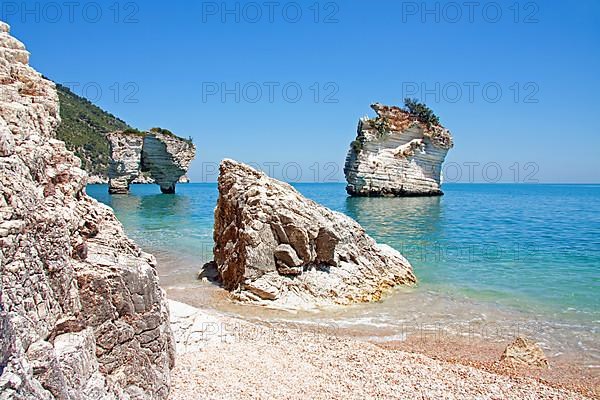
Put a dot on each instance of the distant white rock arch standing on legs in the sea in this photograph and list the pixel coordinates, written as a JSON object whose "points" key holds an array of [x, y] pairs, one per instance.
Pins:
{"points": [[157, 156]]}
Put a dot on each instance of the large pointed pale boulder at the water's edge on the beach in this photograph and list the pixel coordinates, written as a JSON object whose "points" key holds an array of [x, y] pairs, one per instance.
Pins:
{"points": [[274, 246]]}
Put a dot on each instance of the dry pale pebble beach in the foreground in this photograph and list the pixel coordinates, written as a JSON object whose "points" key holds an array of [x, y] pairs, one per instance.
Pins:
{"points": [[226, 358]]}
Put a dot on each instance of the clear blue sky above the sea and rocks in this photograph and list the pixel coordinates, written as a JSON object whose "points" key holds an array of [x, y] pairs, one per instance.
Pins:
{"points": [[160, 64]]}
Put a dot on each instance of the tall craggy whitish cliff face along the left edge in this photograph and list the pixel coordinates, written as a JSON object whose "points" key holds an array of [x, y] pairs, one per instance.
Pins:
{"points": [[81, 312]]}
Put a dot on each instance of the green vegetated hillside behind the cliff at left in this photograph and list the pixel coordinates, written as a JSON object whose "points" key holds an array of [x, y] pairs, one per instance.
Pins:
{"points": [[83, 129]]}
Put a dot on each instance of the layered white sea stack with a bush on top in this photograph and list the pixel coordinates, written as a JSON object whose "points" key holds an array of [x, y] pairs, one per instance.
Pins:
{"points": [[396, 154]]}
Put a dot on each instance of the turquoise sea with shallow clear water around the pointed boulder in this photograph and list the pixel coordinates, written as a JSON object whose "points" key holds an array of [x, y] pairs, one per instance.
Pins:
{"points": [[493, 261]]}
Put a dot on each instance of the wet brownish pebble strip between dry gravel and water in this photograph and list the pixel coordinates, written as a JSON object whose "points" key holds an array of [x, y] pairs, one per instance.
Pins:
{"points": [[565, 372]]}
